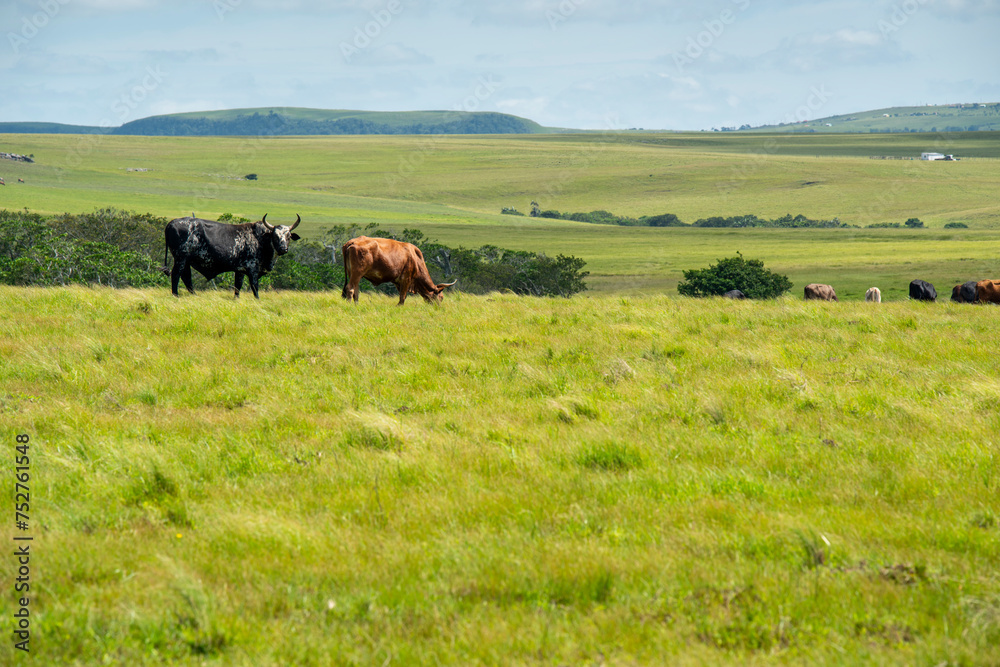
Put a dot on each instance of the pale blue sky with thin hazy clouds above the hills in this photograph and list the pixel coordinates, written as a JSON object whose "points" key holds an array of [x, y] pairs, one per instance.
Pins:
{"points": [[587, 64]]}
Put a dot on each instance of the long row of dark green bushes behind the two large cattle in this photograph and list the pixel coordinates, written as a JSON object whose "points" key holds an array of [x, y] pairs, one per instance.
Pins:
{"points": [[126, 249]]}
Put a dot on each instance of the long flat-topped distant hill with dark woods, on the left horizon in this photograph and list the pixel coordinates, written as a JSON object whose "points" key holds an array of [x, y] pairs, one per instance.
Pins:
{"points": [[299, 121]]}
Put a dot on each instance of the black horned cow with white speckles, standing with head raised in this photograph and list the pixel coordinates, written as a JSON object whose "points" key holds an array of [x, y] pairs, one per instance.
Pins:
{"points": [[213, 248]]}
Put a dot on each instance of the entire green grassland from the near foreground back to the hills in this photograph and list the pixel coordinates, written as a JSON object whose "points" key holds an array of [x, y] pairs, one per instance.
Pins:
{"points": [[625, 477]]}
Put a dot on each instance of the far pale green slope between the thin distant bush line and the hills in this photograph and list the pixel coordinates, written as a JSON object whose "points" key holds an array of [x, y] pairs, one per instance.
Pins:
{"points": [[445, 178]]}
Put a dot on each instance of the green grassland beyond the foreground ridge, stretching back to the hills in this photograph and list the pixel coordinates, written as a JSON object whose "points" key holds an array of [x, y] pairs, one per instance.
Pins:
{"points": [[453, 187]]}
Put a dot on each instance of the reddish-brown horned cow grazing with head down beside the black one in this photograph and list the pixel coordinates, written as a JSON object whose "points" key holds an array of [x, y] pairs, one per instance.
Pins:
{"points": [[388, 261]]}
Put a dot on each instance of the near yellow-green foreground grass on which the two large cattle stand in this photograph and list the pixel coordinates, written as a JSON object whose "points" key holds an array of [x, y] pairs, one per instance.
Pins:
{"points": [[608, 479]]}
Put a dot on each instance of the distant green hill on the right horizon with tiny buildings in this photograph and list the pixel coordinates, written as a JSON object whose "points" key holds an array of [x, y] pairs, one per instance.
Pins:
{"points": [[930, 118]]}
